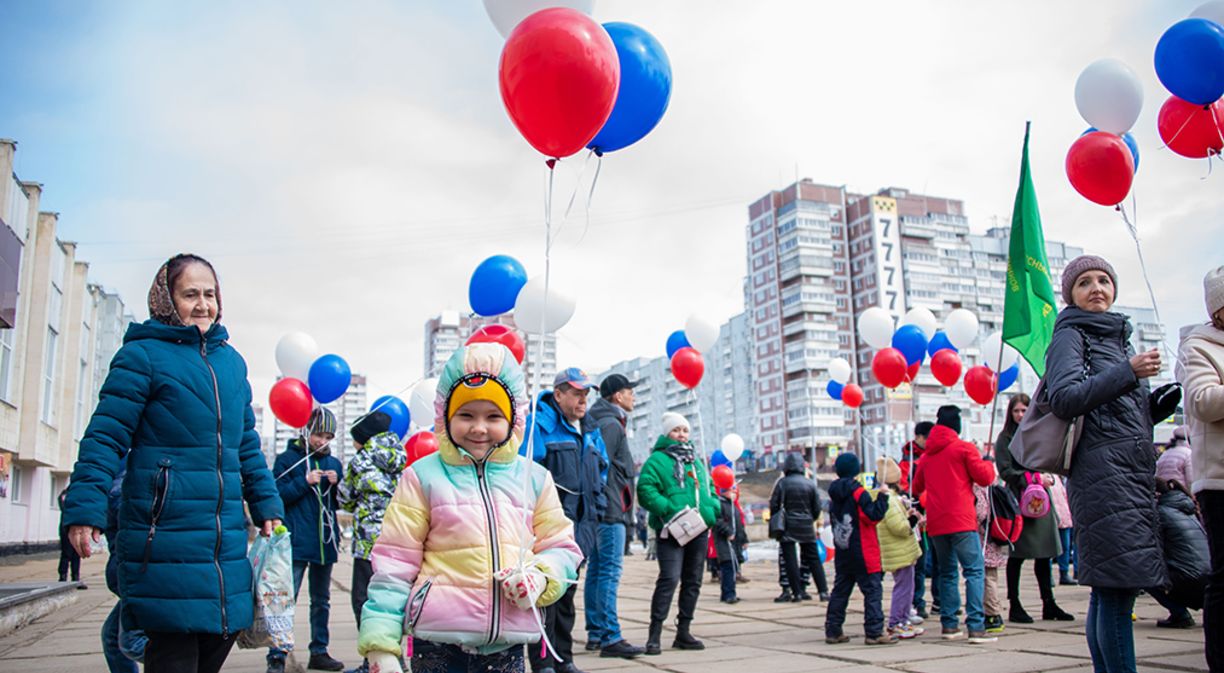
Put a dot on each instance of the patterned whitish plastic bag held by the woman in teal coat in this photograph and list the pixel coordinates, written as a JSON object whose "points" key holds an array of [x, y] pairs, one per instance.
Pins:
{"points": [[272, 562]]}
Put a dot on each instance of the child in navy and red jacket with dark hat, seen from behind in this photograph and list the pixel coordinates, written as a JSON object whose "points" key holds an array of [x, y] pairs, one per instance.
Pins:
{"points": [[855, 515]]}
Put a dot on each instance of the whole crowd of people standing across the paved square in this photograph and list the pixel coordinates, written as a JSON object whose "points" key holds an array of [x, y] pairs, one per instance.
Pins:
{"points": [[476, 552]]}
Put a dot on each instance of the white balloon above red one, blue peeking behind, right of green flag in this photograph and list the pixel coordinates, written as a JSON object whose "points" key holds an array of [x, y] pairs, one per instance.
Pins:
{"points": [[1102, 163]]}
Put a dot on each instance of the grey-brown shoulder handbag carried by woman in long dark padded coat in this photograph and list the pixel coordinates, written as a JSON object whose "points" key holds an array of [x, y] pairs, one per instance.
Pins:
{"points": [[1043, 442]]}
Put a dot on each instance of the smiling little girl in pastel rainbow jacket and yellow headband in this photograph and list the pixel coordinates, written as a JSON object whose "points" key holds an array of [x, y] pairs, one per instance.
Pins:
{"points": [[474, 541]]}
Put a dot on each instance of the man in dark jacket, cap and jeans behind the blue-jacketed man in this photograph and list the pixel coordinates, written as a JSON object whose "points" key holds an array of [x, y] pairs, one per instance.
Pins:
{"points": [[608, 418]]}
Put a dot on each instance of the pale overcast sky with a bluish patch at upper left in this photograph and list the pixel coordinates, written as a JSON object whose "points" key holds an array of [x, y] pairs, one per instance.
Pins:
{"points": [[347, 166]]}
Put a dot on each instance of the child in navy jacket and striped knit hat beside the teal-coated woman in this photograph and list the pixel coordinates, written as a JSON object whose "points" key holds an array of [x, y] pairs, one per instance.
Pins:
{"points": [[308, 485]]}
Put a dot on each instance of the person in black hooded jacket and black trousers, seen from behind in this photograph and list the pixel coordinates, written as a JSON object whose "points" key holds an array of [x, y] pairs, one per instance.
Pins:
{"points": [[796, 499]]}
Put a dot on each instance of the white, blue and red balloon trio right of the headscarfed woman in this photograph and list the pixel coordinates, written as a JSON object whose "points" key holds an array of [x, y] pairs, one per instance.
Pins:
{"points": [[308, 377]]}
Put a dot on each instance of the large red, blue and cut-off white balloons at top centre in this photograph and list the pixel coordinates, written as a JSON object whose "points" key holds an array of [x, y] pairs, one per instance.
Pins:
{"points": [[569, 83]]}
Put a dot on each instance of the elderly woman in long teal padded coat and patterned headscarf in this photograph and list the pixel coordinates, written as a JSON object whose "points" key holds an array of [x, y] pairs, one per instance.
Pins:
{"points": [[177, 409]]}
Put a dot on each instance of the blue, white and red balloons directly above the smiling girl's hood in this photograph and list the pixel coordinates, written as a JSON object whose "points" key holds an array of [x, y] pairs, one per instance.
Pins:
{"points": [[501, 284]]}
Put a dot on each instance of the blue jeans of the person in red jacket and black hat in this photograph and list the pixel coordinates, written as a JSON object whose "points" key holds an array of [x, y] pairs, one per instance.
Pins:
{"points": [[964, 549]]}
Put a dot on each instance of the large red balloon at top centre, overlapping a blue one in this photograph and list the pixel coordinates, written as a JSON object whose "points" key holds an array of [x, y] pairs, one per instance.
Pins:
{"points": [[559, 76]]}
